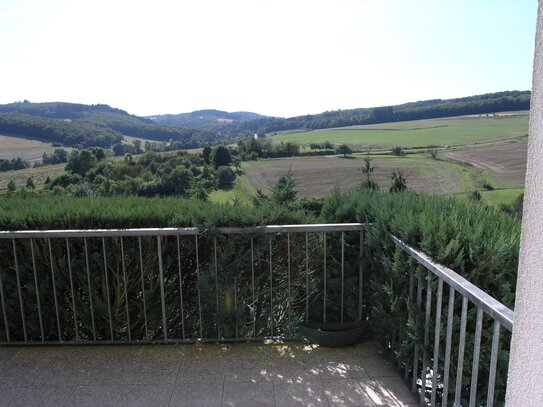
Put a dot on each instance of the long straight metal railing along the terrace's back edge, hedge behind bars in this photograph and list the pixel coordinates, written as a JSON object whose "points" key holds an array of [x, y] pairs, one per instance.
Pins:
{"points": [[177, 284]]}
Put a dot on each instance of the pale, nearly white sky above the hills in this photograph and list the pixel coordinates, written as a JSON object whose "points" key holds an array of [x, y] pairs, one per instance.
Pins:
{"points": [[280, 57]]}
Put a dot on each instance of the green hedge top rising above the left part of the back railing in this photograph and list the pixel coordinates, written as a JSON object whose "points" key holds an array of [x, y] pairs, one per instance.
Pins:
{"points": [[27, 212]]}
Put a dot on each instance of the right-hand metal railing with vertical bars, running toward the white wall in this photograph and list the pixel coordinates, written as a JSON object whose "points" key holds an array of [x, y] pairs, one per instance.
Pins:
{"points": [[430, 370]]}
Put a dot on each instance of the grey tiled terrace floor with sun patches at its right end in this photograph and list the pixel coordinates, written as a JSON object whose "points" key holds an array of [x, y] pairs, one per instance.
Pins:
{"points": [[290, 374]]}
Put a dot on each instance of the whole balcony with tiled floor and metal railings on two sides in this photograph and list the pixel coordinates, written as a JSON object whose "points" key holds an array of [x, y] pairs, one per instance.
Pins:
{"points": [[210, 317]]}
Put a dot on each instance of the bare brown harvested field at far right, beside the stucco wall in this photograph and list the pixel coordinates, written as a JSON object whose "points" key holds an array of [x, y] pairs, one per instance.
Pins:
{"points": [[506, 163]]}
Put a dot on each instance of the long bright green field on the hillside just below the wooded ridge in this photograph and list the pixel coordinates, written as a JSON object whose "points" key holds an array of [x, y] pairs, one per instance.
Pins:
{"points": [[453, 131]]}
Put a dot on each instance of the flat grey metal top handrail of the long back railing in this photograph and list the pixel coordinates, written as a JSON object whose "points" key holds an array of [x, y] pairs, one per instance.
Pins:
{"points": [[188, 231]]}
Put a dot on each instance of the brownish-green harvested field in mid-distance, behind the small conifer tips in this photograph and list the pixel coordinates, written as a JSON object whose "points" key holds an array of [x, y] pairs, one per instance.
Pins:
{"points": [[317, 176]]}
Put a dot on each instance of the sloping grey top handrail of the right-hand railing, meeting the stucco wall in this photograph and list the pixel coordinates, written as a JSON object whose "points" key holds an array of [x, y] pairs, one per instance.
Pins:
{"points": [[487, 303]]}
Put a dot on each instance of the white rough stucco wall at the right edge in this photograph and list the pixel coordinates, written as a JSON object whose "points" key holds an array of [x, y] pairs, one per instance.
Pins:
{"points": [[525, 381]]}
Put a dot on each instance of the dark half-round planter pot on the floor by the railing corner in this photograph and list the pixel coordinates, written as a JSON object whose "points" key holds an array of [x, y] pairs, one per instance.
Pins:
{"points": [[335, 335]]}
